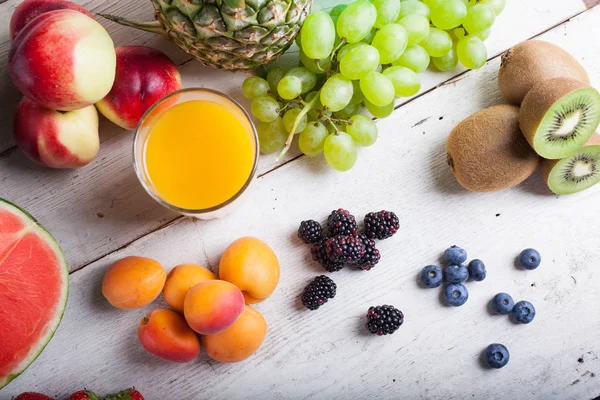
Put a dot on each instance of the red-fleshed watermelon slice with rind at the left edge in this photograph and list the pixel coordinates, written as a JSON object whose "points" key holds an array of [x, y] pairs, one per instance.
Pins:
{"points": [[34, 284]]}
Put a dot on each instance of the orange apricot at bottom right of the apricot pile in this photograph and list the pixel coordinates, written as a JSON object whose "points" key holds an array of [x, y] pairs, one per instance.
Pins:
{"points": [[240, 340]]}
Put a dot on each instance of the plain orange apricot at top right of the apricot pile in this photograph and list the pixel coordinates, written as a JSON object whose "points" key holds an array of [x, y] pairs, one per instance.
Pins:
{"points": [[250, 264]]}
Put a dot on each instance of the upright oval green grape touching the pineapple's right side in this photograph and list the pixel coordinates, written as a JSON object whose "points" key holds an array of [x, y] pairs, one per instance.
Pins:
{"points": [[318, 35]]}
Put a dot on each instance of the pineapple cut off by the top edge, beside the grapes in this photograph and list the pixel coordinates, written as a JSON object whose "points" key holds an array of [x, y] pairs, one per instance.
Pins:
{"points": [[228, 34]]}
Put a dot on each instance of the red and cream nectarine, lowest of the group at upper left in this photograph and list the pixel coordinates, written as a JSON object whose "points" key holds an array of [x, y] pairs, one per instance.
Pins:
{"points": [[57, 139]]}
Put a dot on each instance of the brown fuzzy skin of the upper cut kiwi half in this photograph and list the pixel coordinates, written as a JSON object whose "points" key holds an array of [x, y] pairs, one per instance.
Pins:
{"points": [[539, 100]]}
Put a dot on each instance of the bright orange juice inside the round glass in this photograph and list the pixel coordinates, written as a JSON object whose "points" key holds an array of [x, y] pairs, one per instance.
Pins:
{"points": [[199, 154]]}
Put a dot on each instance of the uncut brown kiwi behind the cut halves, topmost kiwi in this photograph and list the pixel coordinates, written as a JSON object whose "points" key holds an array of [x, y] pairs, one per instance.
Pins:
{"points": [[533, 61]]}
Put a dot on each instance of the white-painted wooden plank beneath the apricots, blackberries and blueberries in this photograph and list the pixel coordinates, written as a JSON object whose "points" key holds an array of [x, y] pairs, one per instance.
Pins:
{"points": [[327, 353]]}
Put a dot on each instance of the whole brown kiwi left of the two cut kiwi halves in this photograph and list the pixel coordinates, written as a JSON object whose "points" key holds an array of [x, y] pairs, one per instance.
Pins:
{"points": [[487, 152]]}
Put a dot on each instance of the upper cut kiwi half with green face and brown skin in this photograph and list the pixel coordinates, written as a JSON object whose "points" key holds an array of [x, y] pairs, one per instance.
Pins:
{"points": [[559, 115]]}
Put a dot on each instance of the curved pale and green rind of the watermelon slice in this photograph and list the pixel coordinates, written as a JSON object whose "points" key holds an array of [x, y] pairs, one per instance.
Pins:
{"points": [[39, 229]]}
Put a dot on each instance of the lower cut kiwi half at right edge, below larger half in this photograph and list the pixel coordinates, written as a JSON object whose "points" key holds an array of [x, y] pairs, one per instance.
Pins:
{"points": [[577, 172]]}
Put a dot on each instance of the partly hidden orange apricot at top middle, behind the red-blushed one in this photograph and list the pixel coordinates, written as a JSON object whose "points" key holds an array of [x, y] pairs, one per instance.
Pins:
{"points": [[180, 280]]}
